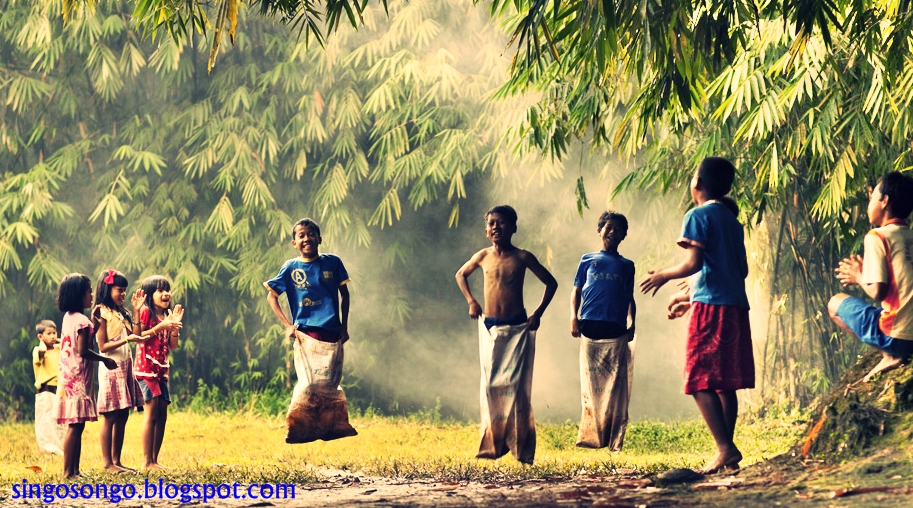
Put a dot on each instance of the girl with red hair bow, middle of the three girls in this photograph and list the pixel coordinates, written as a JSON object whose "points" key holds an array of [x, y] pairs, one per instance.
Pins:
{"points": [[118, 391]]}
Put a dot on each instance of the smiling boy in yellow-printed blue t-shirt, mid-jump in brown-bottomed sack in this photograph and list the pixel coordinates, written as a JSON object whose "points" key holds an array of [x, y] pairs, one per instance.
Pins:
{"points": [[318, 299]]}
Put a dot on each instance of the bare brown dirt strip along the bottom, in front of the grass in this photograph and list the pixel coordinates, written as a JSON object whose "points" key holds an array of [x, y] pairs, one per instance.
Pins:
{"points": [[879, 480]]}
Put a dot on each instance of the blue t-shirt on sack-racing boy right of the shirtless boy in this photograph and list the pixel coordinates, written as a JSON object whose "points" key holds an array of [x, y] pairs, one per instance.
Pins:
{"points": [[607, 286]]}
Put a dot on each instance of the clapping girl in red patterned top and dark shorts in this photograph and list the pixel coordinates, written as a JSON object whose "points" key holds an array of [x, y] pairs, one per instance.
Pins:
{"points": [[160, 326]]}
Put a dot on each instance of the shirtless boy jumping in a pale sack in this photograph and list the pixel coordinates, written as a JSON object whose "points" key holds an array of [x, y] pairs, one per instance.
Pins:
{"points": [[507, 340]]}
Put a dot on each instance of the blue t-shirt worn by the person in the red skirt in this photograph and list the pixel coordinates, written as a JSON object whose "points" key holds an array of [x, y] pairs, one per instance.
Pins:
{"points": [[713, 228]]}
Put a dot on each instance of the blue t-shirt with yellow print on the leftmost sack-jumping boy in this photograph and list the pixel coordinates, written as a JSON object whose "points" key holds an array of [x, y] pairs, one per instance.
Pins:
{"points": [[312, 288]]}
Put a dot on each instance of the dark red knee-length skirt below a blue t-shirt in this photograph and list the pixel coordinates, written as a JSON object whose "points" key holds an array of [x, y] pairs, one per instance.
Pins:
{"points": [[719, 353]]}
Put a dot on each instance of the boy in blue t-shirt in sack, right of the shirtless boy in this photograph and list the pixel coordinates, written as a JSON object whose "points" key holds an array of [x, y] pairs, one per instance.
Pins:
{"points": [[601, 303]]}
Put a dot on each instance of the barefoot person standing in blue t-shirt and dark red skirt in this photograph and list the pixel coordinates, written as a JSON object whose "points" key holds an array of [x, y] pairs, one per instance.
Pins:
{"points": [[719, 358]]}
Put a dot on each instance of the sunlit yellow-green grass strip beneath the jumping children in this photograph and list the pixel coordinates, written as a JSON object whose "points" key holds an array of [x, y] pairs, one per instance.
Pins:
{"points": [[246, 448]]}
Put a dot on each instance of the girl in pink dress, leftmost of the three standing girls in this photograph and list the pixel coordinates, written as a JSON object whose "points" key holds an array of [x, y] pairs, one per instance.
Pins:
{"points": [[74, 382]]}
